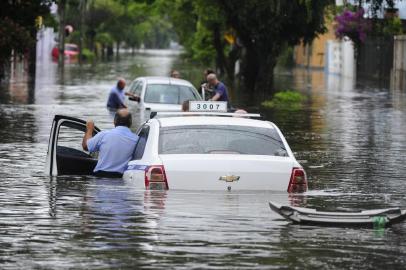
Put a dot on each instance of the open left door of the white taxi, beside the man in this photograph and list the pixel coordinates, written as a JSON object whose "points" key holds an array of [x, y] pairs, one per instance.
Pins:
{"points": [[65, 155]]}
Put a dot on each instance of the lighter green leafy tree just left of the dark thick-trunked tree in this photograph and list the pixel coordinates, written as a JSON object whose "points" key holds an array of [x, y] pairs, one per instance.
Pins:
{"points": [[200, 27]]}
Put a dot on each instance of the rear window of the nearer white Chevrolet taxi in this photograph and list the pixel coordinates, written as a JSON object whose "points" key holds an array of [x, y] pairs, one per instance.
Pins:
{"points": [[220, 139]]}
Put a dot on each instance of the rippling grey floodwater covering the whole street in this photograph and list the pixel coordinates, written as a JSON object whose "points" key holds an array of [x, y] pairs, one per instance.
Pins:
{"points": [[350, 139]]}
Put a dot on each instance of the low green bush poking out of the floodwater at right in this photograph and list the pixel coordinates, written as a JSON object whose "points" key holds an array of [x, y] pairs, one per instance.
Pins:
{"points": [[287, 100]]}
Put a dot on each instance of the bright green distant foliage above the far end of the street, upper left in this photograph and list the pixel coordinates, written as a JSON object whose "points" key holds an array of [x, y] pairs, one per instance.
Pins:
{"points": [[129, 22]]}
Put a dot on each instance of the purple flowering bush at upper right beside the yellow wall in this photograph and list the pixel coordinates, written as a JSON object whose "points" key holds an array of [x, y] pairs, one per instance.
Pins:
{"points": [[353, 25]]}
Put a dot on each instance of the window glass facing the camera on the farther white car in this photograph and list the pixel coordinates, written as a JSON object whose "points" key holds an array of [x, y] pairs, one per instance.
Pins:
{"points": [[169, 94]]}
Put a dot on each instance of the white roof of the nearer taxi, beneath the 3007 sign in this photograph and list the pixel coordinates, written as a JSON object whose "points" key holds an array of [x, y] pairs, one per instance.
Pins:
{"points": [[212, 120]]}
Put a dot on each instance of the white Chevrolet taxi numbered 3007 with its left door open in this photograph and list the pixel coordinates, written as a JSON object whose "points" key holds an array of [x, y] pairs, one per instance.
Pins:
{"points": [[194, 151]]}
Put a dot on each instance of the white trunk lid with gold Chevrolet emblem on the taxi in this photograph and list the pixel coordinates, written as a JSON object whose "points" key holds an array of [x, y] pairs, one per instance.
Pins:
{"points": [[225, 171]]}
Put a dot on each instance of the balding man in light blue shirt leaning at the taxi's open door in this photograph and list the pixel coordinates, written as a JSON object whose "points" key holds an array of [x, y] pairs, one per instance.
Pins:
{"points": [[115, 147]]}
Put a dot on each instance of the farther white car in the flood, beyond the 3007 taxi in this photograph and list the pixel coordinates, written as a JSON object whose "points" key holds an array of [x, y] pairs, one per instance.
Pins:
{"points": [[161, 93]]}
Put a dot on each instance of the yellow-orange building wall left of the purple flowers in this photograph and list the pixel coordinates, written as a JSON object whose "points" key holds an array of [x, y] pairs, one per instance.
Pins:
{"points": [[312, 55]]}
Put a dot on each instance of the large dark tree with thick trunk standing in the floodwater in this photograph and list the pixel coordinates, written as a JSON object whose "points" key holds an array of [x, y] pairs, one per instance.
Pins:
{"points": [[265, 27]]}
